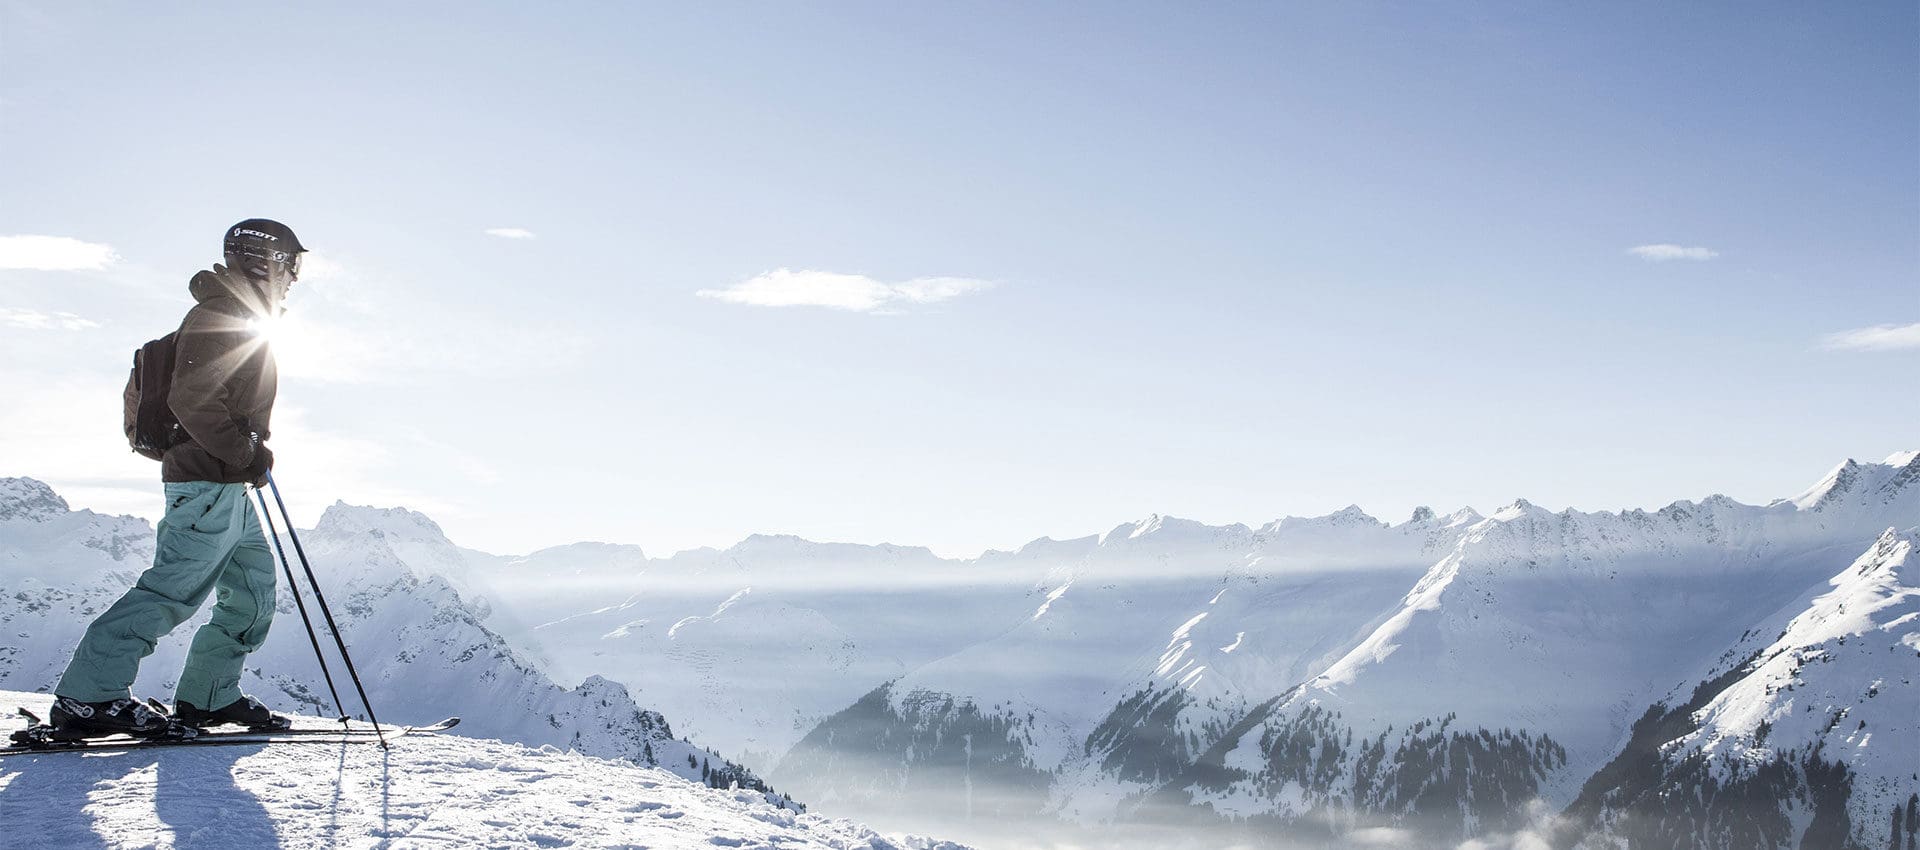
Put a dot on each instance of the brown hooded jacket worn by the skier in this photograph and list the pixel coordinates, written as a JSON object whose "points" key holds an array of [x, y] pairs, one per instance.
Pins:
{"points": [[224, 381]]}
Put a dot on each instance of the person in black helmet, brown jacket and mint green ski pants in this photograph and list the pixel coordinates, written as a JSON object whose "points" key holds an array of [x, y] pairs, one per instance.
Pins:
{"points": [[210, 540]]}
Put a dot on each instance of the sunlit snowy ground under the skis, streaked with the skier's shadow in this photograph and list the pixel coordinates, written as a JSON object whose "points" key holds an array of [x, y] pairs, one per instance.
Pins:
{"points": [[427, 791]]}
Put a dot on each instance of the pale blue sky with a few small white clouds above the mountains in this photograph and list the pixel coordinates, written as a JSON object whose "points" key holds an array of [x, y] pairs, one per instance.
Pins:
{"points": [[1078, 262]]}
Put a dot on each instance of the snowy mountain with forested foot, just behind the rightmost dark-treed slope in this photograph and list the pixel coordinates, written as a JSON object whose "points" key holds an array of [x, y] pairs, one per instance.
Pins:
{"points": [[1556, 628]]}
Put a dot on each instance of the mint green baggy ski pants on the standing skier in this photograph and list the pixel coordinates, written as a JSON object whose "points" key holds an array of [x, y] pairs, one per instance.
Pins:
{"points": [[208, 542]]}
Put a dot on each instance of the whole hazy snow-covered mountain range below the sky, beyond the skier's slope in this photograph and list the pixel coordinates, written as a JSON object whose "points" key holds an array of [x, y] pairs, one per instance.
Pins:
{"points": [[1310, 682]]}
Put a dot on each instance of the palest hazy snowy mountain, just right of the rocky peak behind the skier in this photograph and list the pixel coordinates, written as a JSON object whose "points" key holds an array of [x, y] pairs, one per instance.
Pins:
{"points": [[757, 644]]}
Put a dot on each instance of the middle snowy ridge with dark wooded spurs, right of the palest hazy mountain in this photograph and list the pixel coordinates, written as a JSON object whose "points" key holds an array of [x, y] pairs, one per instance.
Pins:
{"points": [[1132, 651]]}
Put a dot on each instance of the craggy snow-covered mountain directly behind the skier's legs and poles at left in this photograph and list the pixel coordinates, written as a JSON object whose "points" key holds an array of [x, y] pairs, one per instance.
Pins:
{"points": [[420, 649]]}
